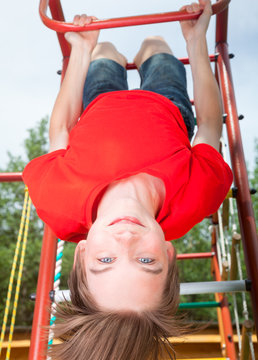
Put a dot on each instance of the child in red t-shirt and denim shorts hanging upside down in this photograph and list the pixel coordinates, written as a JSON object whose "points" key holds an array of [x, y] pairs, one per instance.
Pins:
{"points": [[126, 176]]}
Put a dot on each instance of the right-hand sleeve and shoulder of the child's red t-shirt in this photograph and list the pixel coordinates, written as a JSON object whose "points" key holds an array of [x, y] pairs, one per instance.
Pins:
{"points": [[208, 180]]}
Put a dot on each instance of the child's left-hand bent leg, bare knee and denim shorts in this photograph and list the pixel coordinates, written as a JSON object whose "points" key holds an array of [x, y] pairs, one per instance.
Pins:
{"points": [[106, 72]]}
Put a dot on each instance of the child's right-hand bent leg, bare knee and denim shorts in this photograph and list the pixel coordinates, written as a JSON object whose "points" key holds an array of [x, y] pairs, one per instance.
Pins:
{"points": [[163, 73]]}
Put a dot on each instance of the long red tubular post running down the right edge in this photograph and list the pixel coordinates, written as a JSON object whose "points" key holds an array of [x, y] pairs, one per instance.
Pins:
{"points": [[244, 202]]}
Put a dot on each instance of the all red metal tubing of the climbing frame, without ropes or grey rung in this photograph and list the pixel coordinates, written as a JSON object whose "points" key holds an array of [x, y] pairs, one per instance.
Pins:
{"points": [[246, 216]]}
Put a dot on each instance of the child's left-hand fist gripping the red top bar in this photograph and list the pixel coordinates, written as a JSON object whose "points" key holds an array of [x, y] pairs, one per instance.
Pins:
{"points": [[88, 38]]}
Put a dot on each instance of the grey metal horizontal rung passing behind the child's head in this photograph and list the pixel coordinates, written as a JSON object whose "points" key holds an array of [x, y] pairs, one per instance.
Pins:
{"points": [[185, 288]]}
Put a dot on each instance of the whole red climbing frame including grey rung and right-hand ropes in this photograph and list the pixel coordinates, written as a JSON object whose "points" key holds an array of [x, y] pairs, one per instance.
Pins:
{"points": [[223, 261]]}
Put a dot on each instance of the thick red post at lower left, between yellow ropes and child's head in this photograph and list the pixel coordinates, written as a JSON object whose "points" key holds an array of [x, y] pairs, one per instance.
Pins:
{"points": [[45, 285]]}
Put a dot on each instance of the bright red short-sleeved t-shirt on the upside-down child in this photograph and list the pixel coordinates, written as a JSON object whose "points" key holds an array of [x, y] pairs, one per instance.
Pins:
{"points": [[121, 134]]}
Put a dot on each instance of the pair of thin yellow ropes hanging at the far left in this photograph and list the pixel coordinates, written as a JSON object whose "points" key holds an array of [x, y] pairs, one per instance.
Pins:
{"points": [[24, 218]]}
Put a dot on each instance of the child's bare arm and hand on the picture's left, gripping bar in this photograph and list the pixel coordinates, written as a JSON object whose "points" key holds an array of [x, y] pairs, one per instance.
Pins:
{"points": [[68, 105]]}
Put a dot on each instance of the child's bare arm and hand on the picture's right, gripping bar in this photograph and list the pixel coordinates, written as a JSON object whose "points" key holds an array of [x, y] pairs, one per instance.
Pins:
{"points": [[206, 92]]}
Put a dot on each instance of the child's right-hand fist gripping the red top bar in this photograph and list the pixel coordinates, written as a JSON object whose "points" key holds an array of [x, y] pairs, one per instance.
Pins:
{"points": [[192, 29]]}
